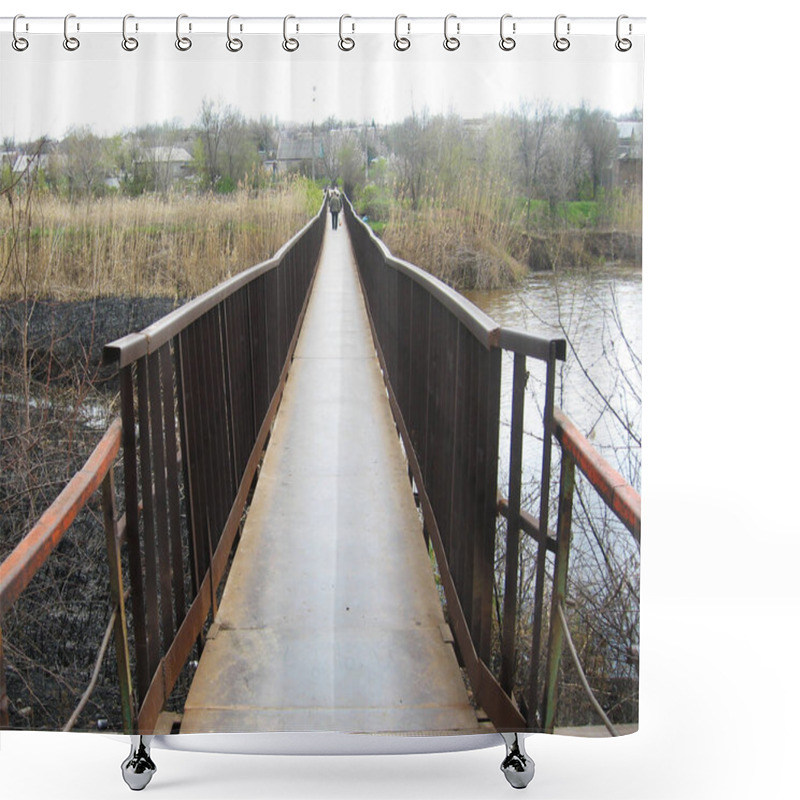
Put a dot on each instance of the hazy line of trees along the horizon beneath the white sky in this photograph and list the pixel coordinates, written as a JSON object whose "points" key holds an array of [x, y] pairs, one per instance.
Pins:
{"points": [[535, 154]]}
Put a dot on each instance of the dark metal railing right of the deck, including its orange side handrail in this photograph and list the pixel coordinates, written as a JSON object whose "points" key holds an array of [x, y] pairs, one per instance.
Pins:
{"points": [[441, 358]]}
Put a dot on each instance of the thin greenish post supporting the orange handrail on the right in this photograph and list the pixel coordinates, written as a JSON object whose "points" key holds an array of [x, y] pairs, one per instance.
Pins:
{"points": [[556, 639]]}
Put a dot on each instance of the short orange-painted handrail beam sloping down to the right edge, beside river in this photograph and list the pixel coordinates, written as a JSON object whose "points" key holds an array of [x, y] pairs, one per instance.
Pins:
{"points": [[615, 491]]}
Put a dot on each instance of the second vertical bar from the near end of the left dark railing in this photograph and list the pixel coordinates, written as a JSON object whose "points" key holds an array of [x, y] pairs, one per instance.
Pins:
{"points": [[150, 562]]}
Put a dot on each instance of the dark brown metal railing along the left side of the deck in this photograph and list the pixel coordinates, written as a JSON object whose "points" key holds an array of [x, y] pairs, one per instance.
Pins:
{"points": [[199, 391]]}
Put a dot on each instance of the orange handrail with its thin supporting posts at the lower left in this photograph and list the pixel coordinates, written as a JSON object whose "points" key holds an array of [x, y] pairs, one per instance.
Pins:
{"points": [[20, 567]]}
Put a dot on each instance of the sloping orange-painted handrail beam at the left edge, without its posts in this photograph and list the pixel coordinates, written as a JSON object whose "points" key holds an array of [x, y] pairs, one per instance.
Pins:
{"points": [[17, 571]]}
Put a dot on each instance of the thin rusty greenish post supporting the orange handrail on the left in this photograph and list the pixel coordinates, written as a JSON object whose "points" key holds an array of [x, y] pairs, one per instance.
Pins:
{"points": [[118, 602]]}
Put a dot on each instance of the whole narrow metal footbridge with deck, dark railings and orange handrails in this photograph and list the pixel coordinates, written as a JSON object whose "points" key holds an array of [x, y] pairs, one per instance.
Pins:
{"points": [[306, 524]]}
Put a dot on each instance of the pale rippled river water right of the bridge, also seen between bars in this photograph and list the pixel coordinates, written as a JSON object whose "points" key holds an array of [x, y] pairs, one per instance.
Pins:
{"points": [[599, 312]]}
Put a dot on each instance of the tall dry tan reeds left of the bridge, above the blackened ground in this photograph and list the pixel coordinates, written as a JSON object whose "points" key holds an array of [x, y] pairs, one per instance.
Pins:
{"points": [[175, 245]]}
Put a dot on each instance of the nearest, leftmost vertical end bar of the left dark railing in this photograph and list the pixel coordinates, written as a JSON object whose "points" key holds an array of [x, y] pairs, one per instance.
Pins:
{"points": [[132, 528]]}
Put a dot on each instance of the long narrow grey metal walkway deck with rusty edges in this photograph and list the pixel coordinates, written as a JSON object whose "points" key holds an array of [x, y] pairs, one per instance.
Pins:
{"points": [[331, 619]]}
